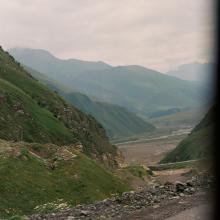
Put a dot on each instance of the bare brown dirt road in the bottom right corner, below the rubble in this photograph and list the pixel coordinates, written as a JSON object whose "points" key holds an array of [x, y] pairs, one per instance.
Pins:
{"points": [[196, 207]]}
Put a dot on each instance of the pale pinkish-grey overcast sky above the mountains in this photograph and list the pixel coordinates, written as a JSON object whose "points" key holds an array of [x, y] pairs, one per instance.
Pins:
{"points": [[158, 34]]}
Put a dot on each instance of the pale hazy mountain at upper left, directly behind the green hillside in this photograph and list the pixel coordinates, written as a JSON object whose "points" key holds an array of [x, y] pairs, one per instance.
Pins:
{"points": [[45, 62]]}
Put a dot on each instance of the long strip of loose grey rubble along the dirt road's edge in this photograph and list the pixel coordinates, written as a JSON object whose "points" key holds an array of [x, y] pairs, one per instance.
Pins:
{"points": [[129, 202]]}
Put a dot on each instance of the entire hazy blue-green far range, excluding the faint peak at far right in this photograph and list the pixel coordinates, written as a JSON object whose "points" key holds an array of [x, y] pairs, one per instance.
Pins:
{"points": [[136, 88]]}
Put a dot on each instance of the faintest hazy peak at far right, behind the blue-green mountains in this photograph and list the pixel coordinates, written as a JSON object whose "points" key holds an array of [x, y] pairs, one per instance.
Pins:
{"points": [[200, 72]]}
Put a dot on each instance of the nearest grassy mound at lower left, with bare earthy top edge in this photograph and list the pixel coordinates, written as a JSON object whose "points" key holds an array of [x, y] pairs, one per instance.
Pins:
{"points": [[27, 181]]}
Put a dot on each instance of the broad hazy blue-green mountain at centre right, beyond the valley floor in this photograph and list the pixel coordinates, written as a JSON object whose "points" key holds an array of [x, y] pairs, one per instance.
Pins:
{"points": [[140, 89]]}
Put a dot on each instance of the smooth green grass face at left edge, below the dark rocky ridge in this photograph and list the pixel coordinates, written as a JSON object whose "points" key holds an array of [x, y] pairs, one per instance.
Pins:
{"points": [[33, 124]]}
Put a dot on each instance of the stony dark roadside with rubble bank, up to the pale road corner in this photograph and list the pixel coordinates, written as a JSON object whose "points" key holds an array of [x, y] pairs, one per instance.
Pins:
{"points": [[157, 202]]}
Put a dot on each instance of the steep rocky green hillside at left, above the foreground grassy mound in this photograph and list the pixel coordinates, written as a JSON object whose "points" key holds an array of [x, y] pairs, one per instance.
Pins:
{"points": [[31, 112]]}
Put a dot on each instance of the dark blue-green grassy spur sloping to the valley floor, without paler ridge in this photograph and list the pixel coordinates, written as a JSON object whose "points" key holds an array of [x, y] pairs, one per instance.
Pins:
{"points": [[117, 121]]}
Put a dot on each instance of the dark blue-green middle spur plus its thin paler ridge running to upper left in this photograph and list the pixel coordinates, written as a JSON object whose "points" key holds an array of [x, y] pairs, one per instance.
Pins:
{"points": [[117, 121]]}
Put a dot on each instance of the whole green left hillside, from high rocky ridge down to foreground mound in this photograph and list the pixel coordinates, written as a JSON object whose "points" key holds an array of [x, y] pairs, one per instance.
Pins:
{"points": [[52, 155]]}
